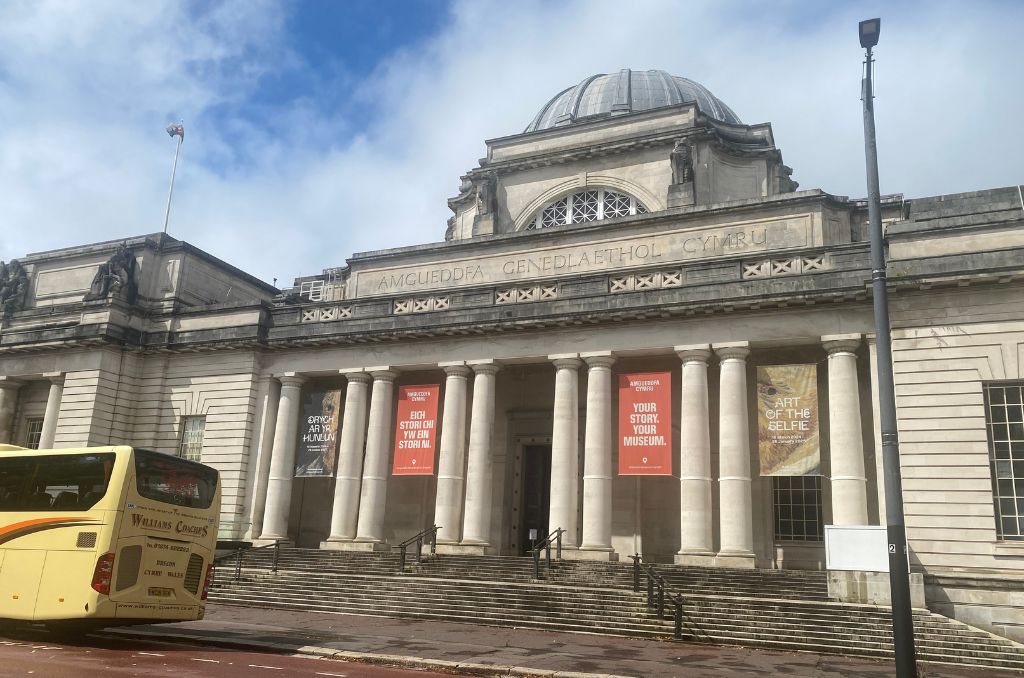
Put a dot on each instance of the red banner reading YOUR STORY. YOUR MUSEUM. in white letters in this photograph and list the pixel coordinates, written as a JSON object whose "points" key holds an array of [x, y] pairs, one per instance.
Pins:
{"points": [[646, 425]]}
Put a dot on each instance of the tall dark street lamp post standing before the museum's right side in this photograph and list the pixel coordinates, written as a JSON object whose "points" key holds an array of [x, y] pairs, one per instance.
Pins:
{"points": [[900, 577]]}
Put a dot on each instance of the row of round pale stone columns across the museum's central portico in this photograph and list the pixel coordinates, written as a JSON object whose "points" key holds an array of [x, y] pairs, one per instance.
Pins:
{"points": [[463, 500]]}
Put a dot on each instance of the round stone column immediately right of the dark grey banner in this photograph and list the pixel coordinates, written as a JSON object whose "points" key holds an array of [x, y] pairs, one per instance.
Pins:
{"points": [[350, 480]]}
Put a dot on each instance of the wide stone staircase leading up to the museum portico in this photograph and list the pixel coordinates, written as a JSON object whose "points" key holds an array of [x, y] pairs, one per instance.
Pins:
{"points": [[776, 610]]}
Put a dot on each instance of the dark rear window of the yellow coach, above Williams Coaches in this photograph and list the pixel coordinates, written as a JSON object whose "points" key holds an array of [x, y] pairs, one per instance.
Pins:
{"points": [[174, 481]]}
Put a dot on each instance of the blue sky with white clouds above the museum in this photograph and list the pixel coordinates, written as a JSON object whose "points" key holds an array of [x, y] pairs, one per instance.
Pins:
{"points": [[319, 130]]}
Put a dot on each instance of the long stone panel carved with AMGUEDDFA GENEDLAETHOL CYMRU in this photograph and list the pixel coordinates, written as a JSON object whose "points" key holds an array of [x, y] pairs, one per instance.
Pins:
{"points": [[613, 255]]}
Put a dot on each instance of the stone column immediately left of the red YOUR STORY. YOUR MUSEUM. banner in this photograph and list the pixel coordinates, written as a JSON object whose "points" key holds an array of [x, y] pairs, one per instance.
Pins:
{"points": [[598, 455]]}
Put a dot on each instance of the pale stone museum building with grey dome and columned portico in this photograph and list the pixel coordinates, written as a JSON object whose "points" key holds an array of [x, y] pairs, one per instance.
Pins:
{"points": [[637, 329]]}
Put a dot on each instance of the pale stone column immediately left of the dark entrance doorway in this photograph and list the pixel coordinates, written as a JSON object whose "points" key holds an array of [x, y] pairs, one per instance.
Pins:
{"points": [[477, 525]]}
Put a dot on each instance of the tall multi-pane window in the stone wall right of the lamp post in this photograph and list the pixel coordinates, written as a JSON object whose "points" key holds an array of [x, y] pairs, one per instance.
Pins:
{"points": [[1005, 415]]}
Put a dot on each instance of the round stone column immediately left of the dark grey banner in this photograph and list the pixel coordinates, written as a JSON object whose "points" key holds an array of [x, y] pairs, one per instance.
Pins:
{"points": [[279, 489]]}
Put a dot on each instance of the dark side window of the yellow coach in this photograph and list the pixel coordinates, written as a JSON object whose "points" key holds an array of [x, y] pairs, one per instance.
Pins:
{"points": [[54, 483]]}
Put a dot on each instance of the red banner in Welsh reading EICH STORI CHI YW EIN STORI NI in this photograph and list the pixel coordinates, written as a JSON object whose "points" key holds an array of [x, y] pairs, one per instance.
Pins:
{"points": [[416, 431]]}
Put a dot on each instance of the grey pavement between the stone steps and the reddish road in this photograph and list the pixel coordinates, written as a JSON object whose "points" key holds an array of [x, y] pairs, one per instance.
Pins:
{"points": [[470, 650]]}
